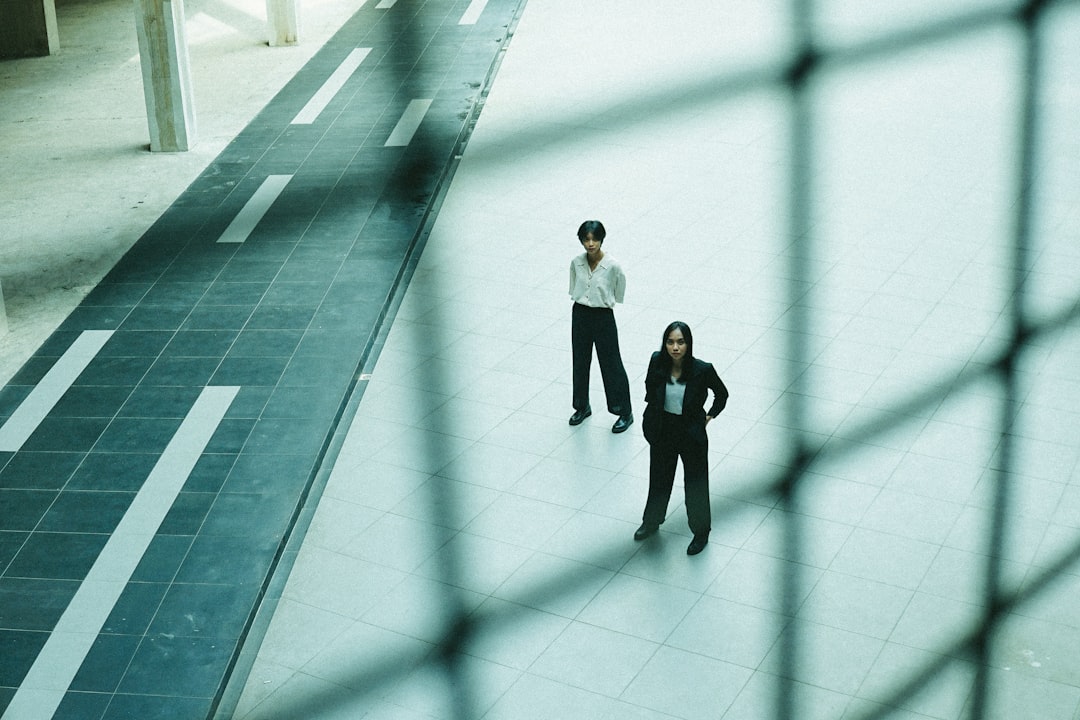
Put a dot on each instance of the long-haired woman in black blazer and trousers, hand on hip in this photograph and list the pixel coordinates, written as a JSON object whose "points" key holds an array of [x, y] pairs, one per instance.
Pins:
{"points": [[677, 388]]}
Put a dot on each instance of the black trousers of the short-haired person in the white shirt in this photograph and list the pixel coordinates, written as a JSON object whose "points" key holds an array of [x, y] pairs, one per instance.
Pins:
{"points": [[596, 327]]}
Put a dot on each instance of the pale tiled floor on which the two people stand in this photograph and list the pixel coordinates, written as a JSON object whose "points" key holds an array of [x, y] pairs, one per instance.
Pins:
{"points": [[461, 485]]}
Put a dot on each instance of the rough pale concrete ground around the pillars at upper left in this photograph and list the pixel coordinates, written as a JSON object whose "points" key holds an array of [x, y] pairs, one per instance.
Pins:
{"points": [[79, 184]]}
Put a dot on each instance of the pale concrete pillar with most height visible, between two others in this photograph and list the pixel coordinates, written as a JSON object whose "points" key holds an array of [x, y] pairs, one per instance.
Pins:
{"points": [[167, 76]]}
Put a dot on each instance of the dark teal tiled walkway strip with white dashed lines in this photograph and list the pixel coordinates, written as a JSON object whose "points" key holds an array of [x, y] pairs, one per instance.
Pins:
{"points": [[156, 452]]}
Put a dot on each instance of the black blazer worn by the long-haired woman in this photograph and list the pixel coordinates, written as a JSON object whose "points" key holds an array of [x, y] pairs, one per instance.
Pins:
{"points": [[699, 379]]}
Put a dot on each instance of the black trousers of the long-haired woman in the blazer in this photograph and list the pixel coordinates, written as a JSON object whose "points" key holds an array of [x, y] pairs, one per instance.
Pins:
{"points": [[673, 443]]}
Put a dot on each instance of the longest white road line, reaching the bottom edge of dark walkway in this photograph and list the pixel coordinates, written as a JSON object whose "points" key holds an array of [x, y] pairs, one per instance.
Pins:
{"points": [[57, 665]]}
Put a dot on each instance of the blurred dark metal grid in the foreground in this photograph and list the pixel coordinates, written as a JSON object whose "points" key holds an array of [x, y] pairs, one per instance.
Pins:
{"points": [[807, 63]]}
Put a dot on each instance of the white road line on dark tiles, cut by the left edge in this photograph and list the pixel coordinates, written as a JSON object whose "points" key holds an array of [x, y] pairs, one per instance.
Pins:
{"points": [[45, 397]]}
